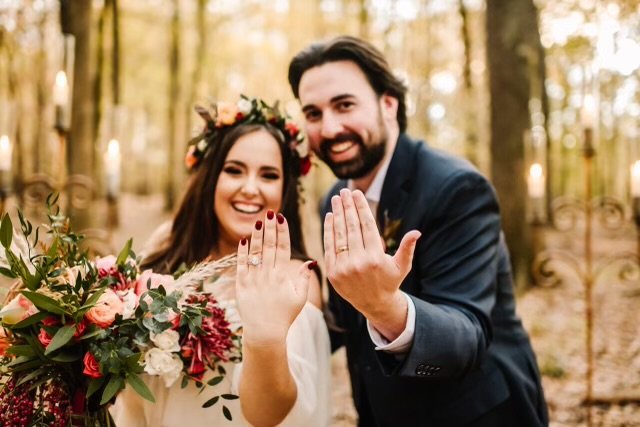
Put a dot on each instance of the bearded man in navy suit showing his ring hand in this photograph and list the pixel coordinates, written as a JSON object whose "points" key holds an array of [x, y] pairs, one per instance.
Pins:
{"points": [[431, 332]]}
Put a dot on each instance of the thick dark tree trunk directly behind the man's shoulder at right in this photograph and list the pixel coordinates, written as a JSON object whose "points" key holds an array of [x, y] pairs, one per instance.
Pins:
{"points": [[512, 34]]}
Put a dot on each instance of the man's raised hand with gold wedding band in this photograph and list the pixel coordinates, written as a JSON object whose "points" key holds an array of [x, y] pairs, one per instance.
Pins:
{"points": [[359, 269]]}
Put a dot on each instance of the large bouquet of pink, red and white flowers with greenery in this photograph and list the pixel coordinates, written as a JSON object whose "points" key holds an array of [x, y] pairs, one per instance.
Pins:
{"points": [[76, 331]]}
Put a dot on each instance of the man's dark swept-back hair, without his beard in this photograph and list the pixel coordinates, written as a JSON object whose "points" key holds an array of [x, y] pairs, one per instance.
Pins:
{"points": [[370, 60]]}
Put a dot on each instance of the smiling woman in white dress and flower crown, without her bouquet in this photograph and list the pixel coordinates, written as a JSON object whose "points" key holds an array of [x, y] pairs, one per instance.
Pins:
{"points": [[243, 199]]}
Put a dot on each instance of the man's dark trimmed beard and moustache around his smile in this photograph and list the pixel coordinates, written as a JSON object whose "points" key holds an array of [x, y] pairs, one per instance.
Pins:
{"points": [[369, 155]]}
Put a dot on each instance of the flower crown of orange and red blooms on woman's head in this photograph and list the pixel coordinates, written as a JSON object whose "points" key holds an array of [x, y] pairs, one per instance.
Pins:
{"points": [[224, 115]]}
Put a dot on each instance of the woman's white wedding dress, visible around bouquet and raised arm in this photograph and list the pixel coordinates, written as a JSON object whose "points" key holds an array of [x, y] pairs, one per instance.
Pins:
{"points": [[308, 350]]}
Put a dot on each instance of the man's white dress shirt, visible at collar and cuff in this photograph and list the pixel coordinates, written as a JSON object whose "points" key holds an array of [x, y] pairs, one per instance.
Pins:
{"points": [[402, 343]]}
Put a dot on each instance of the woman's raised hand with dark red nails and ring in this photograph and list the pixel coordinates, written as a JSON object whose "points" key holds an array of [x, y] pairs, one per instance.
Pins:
{"points": [[270, 294]]}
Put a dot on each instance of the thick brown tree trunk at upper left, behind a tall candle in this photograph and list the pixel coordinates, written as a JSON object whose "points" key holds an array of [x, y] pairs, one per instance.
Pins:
{"points": [[79, 145]]}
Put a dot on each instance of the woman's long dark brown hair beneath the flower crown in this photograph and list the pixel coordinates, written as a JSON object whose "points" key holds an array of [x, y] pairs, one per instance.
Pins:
{"points": [[194, 232]]}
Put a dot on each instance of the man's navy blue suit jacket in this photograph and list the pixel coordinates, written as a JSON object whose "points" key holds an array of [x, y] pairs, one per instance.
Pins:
{"points": [[470, 352]]}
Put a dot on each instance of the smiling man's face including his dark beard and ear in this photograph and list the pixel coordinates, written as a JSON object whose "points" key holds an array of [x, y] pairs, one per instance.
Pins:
{"points": [[345, 120]]}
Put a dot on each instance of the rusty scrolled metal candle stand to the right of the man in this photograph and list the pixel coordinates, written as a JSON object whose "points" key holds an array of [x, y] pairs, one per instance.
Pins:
{"points": [[551, 265]]}
